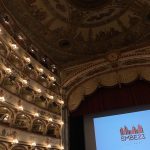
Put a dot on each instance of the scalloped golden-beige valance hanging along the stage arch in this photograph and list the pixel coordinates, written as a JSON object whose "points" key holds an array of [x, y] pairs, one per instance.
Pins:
{"points": [[110, 79]]}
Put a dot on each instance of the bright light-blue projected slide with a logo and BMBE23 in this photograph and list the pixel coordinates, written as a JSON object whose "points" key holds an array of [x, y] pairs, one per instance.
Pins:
{"points": [[129, 131]]}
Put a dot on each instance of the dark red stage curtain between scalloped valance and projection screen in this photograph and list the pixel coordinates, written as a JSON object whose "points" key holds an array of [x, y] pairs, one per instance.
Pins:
{"points": [[108, 98]]}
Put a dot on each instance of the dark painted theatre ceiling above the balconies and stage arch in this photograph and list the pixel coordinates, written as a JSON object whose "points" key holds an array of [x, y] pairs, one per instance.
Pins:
{"points": [[72, 32]]}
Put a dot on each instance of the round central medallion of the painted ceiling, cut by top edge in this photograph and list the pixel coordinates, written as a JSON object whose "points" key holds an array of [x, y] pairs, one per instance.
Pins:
{"points": [[88, 13]]}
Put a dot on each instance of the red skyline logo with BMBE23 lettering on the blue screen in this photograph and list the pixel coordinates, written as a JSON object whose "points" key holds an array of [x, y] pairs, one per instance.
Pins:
{"points": [[132, 134]]}
